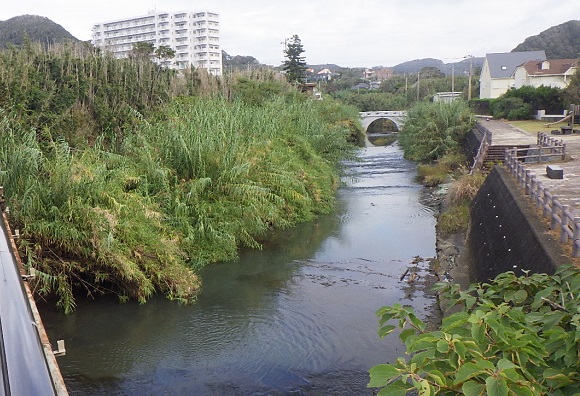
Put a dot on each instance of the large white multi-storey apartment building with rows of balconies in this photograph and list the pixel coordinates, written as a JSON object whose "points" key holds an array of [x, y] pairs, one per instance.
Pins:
{"points": [[193, 35]]}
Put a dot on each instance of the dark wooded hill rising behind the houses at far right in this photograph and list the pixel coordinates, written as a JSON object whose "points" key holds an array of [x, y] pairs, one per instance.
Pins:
{"points": [[559, 42]]}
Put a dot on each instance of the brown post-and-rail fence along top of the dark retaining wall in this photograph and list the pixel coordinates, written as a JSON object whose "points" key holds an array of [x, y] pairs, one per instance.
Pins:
{"points": [[561, 217]]}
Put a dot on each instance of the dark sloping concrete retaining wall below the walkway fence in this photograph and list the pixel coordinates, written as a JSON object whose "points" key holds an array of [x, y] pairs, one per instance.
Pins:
{"points": [[507, 234]]}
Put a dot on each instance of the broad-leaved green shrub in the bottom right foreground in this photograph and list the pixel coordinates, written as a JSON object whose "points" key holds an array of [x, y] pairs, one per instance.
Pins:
{"points": [[512, 336]]}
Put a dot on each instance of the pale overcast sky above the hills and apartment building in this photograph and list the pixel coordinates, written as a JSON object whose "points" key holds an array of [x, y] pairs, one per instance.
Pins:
{"points": [[348, 33]]}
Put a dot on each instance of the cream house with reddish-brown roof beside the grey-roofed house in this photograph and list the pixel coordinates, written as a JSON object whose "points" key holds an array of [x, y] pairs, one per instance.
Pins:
{"points": [[554, 73]]}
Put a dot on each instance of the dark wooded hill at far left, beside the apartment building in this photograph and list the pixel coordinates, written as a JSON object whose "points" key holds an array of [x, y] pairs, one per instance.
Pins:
{"points": [[37, 28]]}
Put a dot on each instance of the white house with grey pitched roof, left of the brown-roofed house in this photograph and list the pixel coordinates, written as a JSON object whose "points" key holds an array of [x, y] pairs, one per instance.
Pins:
{"points": [[497, 74]]}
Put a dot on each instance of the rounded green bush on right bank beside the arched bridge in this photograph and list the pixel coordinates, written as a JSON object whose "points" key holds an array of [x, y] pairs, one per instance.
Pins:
{"points": [[433, 130]]}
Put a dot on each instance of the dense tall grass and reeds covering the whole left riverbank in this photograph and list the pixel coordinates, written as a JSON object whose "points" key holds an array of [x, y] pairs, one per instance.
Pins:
{"points": [[126, 178]]}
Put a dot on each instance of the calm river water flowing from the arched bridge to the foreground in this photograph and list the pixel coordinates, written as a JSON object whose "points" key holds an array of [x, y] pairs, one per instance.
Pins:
{"points": [[297, 318]]}
